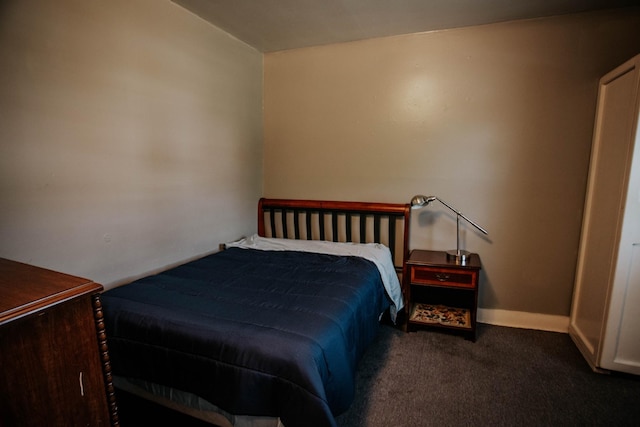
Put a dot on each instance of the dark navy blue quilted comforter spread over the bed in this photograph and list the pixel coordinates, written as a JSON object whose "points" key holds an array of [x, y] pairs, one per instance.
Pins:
{"points": [[254, 332]]}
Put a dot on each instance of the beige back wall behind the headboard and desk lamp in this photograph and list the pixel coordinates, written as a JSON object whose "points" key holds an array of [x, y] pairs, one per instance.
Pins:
{"points": [[496, 120]]}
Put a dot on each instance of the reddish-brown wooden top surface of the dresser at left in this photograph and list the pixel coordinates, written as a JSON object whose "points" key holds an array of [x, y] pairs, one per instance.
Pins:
{"points": [[25, 289]]}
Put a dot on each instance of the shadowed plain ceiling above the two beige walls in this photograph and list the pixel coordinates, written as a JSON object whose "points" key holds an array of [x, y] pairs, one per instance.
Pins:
{"points": [[273, 25]]}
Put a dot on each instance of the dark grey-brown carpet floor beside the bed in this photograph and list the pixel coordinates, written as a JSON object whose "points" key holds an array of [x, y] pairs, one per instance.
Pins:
{"points": [[508, 377]]}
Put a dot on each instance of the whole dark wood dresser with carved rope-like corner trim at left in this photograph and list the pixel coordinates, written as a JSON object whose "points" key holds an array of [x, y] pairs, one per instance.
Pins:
{"points": [[54, 362]]}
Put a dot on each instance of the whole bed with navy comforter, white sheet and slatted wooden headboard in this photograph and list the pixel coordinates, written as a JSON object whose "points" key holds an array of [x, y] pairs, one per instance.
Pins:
{"points": [[269, 330]]}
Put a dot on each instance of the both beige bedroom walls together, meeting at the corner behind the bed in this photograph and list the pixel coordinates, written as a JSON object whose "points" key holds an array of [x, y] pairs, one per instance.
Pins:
{"points": [[131, 136]]}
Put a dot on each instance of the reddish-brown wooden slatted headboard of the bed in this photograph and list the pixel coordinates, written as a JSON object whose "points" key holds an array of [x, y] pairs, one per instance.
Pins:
{"points": [[358, 222]]}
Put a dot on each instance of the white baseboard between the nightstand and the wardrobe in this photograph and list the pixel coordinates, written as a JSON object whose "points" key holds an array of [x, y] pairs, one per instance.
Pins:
{"points": [[521, 319]]}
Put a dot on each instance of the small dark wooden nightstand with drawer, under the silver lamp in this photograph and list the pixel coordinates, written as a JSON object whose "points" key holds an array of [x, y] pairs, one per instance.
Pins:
{"points": [[440, 293]]}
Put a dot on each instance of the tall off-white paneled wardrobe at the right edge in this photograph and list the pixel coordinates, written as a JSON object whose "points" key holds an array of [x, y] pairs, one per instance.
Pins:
{"points": [[606, 302]]}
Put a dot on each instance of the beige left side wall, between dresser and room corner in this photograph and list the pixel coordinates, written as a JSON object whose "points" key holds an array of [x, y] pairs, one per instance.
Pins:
{"points": [[130, 136]]}
